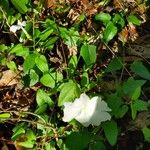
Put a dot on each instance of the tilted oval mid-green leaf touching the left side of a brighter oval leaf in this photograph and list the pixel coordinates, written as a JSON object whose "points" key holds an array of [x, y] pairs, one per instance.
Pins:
{"points": [[29, 63]]}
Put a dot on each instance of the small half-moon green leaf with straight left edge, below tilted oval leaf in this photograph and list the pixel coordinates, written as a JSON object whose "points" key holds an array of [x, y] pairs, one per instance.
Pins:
{"points": [[34, 78]]}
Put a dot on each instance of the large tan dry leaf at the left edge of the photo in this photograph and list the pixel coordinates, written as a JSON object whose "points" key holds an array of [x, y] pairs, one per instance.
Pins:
{"points": [[8, 78]]}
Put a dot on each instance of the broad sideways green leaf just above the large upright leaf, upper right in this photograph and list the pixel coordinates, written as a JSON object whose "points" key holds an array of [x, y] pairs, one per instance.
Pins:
{"points": [[104, 17]]}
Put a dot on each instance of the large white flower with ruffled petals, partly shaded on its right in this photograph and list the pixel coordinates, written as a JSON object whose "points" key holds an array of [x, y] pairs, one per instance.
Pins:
{"points": [[87, 111]]}
